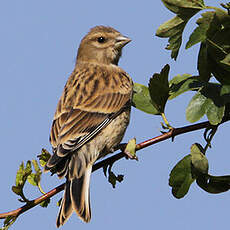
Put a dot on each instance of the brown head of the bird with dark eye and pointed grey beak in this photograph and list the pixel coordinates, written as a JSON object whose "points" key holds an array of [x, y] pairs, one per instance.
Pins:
{"points": [[102, 45]]}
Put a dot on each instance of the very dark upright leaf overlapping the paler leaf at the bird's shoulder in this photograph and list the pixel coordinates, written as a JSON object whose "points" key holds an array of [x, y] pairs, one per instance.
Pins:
{"points": [[159, 89]]}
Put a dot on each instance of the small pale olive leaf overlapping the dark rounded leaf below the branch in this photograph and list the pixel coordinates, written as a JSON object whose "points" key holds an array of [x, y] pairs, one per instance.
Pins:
{"points": [[199, 160]]}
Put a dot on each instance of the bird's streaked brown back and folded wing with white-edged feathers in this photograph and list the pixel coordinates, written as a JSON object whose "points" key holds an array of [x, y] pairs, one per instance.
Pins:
{"points": [[92, 97]]}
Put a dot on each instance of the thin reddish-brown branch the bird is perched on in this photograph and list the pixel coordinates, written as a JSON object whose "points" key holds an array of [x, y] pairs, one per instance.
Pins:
{"points": [[110, 160]]}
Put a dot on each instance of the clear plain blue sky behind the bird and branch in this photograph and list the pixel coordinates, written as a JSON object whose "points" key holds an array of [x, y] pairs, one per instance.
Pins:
{"points": [[38, 43]]}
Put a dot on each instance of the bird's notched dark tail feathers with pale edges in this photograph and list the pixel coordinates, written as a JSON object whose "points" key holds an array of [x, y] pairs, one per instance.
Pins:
{"points": [[76, 198]]}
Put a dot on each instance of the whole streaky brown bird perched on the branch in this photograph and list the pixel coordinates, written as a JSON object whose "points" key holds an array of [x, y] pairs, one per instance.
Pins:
{"points": [[91, 118]]}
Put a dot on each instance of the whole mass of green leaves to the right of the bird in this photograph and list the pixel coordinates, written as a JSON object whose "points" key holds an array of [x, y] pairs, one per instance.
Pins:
{"points": [[211, 86]]}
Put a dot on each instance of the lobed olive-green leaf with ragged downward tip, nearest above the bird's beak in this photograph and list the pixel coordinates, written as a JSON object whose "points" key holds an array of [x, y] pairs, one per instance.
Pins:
{"points": [[172, 29]]}
